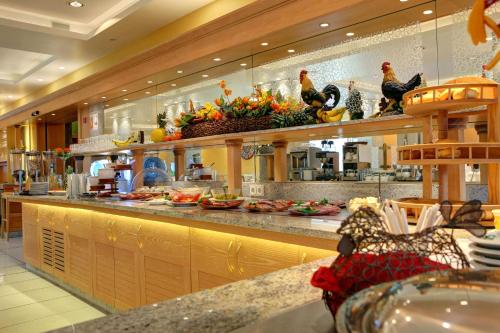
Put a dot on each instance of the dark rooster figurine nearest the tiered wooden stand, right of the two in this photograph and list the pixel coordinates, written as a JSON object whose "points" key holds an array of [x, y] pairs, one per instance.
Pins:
{"points": [[393, 90]]}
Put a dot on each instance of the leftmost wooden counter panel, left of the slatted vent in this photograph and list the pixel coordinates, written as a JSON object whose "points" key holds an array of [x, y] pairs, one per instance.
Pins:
{"points": [[31, 235]]}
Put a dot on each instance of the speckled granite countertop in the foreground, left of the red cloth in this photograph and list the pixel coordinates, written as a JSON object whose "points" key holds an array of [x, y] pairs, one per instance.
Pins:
{"points": [[221, 309]]}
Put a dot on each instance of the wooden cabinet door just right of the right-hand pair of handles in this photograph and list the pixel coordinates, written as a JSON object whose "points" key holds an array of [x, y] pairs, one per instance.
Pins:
{"points": [[255, 256]]}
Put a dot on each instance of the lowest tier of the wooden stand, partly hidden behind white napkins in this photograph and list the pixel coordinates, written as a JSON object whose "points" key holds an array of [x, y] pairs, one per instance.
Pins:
{"points": [[414, 206]]}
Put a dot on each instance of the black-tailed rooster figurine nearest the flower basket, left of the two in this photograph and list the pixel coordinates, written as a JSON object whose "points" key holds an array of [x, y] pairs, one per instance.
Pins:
{"points": [[317, 100]]}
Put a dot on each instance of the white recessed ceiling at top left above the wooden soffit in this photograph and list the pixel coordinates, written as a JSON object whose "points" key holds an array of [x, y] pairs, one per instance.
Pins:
{"points": [[43, 40]]}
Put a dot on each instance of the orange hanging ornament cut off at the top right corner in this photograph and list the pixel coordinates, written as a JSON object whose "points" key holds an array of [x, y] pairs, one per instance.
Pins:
{"points": [[478, 22]]}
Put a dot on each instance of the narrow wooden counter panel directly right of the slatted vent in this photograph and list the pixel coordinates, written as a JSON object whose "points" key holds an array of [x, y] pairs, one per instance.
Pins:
{"points": [[78, 254]]}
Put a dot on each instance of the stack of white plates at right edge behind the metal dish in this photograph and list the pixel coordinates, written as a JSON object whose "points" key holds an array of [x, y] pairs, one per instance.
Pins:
{"points": [[485, 251]]}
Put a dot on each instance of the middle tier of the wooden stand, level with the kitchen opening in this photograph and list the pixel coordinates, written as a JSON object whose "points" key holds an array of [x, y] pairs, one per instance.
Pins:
{"points": [[449, 153]]}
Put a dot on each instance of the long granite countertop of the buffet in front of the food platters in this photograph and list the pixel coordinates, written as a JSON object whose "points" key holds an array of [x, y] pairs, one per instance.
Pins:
{"points": [[317, 227]]}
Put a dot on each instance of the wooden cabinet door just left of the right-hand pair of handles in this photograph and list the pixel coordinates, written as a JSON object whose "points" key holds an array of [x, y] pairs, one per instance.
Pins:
{"points": [[212, 259]]}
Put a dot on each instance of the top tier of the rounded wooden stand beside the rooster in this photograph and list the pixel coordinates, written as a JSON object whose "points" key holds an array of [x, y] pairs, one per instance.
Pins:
{"points": [[451, 97]]}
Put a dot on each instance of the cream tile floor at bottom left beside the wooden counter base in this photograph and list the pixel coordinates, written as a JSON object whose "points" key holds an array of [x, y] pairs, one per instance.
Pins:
{"points": [[29, 303]]}
